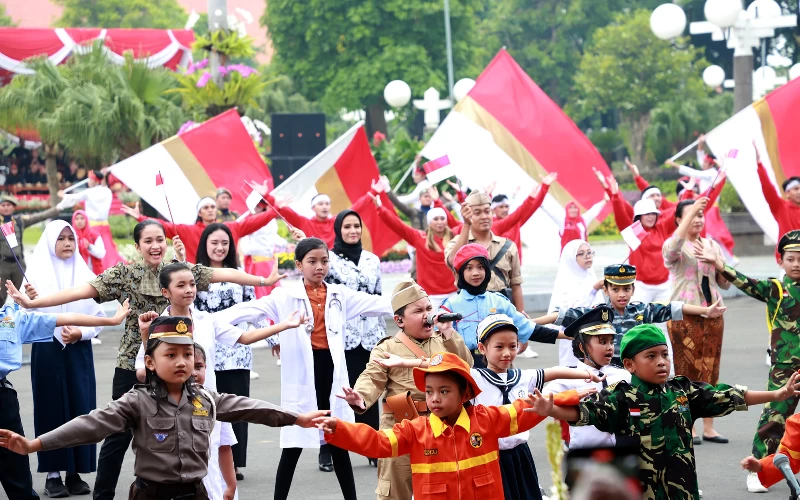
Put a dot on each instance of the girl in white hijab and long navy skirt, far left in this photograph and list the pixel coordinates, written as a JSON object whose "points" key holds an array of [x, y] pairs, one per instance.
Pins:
{"points": [[62, 371]]}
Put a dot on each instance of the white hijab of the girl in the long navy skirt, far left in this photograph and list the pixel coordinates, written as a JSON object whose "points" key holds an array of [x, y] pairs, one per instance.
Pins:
{"points": [[49, 274]]}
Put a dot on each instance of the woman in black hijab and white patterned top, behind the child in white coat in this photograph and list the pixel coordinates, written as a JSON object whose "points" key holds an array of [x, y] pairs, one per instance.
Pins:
{"points": [[357, 269]]}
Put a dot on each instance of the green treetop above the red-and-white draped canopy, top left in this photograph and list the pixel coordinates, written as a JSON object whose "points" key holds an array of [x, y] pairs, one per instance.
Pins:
{"points": [[163, 14]]}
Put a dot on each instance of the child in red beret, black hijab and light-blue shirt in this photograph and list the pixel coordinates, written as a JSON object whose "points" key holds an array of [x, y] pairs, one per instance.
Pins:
{"points": [[474, 303]]}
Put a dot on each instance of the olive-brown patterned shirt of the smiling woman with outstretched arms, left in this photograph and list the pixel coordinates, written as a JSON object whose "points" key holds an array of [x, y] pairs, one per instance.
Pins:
{"points": [[138, 283]]}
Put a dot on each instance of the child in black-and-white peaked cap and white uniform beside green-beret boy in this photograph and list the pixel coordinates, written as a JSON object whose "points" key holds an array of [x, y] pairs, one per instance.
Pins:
{"points": [[593, 344]]}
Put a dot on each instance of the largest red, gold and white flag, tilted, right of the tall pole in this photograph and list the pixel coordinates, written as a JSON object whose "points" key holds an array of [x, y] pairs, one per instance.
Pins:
{"points": [[509, 131]]}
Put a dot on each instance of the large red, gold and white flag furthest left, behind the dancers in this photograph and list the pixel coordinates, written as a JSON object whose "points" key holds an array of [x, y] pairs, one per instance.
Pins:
{"points": [[217, 153]]}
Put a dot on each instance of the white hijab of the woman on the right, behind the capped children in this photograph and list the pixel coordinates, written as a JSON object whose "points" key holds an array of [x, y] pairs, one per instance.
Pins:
{"points": [[573, 283]]}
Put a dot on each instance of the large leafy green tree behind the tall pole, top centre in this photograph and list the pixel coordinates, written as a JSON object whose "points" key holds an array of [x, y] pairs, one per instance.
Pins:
{"points": [[343, 53]]}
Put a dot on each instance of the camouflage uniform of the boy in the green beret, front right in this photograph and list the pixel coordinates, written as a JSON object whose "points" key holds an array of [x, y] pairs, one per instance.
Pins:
{"points": [[660, 417]]}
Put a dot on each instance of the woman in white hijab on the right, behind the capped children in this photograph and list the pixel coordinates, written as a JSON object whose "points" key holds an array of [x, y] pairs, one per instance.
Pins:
{"points": [[576, 285]]}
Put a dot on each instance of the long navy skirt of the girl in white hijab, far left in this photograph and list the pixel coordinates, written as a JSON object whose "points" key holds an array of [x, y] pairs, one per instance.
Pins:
{"points": [[64, 387]]}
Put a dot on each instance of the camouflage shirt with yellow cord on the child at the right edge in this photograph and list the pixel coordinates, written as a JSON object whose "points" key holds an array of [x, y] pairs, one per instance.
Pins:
{"points": [[783, 312]]}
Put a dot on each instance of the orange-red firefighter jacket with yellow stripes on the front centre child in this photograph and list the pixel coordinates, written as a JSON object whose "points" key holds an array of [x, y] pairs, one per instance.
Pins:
{"points": [[452, 463]]}
